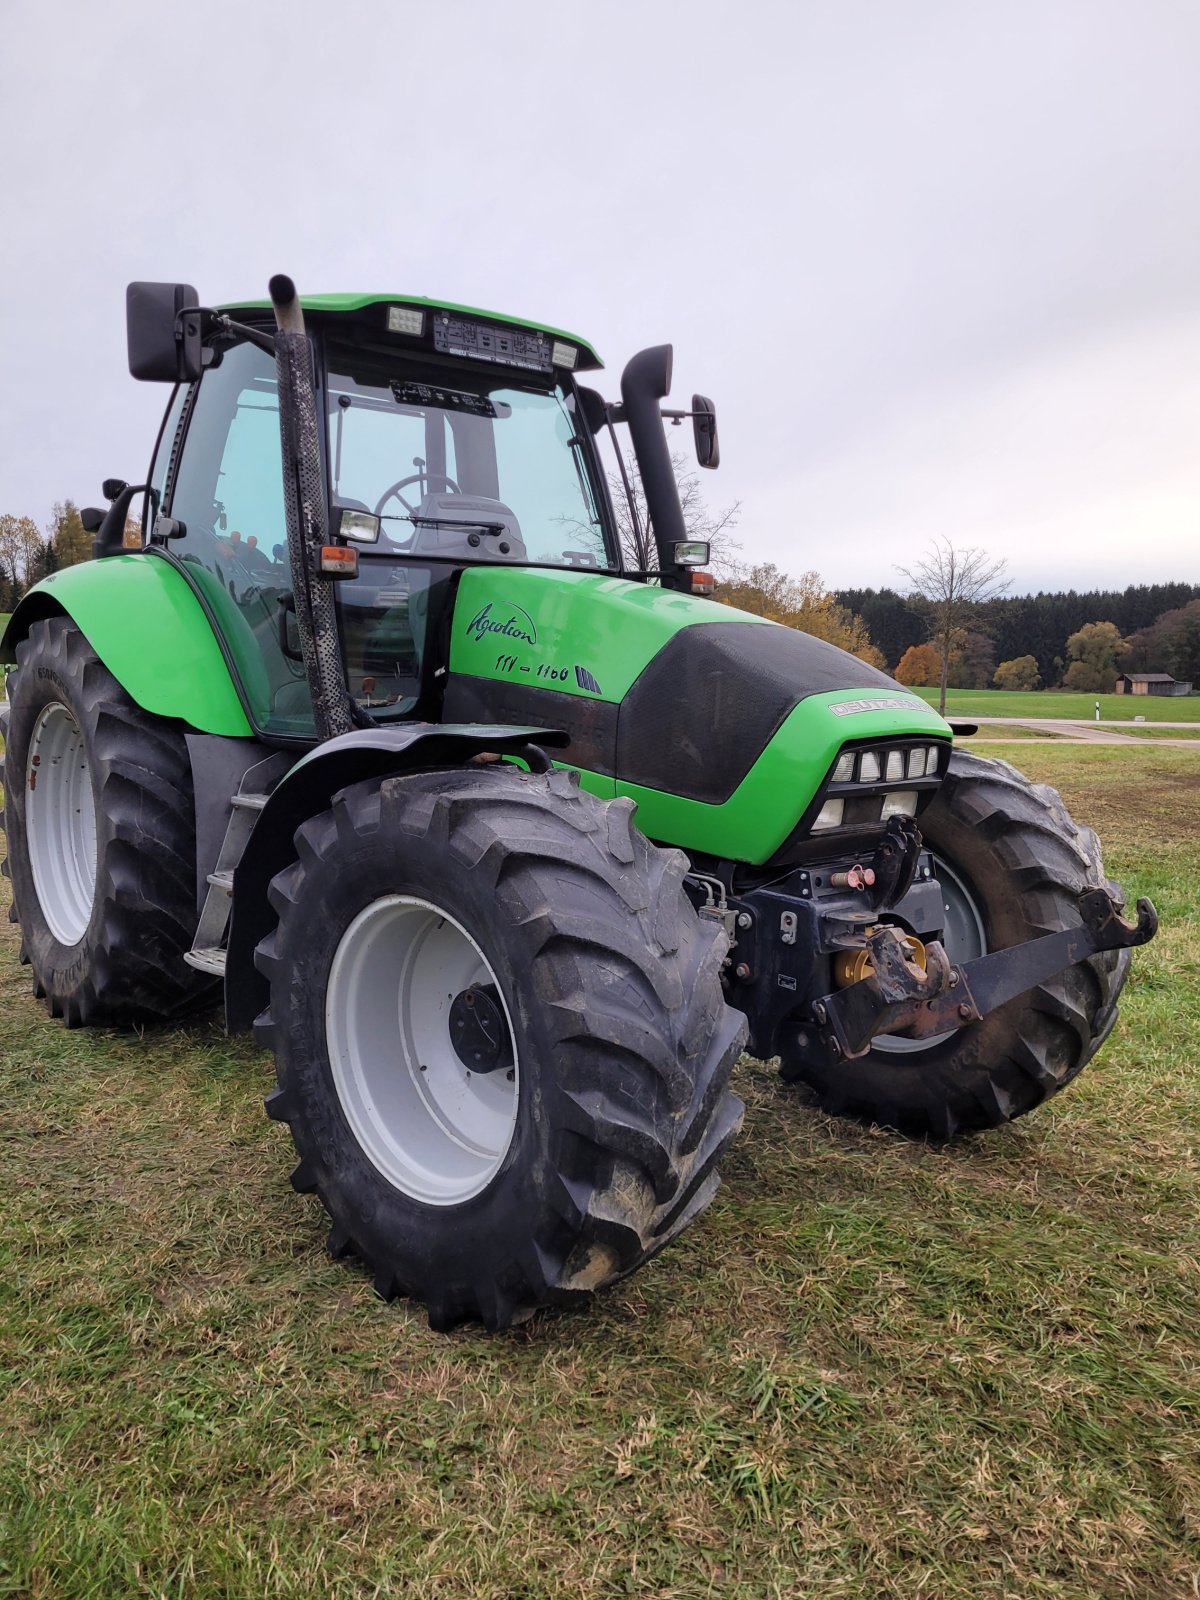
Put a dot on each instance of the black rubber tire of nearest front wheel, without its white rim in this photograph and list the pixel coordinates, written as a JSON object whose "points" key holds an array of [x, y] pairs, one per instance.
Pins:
{"points": [[623, 1039]]}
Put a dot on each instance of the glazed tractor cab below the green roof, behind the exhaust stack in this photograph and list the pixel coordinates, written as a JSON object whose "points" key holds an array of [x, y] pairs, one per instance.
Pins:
{"points": [[446, 444]]}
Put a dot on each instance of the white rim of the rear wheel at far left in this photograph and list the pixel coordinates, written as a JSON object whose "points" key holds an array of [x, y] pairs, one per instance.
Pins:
{"points": [[62, 823]]}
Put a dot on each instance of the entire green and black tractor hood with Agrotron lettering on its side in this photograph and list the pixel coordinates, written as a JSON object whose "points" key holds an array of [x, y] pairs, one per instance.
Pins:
{"points": [[719, 724]]}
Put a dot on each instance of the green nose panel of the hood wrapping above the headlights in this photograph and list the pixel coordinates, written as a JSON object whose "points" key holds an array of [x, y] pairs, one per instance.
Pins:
{"points": [[774, 796]]}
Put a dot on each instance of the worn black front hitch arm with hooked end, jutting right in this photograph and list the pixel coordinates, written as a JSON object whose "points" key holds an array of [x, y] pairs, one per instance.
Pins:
{"points": [[902, 998]]}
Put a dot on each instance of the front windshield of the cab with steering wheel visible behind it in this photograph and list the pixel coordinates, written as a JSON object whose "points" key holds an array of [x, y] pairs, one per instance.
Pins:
{"points": [[458, 468]]}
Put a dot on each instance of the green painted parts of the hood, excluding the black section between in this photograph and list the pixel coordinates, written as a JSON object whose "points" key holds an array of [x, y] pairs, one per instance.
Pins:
{"points": [[529, 626]]}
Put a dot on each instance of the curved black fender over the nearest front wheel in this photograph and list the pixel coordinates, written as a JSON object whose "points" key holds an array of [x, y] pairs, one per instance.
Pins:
{"points": [[306, 791]]}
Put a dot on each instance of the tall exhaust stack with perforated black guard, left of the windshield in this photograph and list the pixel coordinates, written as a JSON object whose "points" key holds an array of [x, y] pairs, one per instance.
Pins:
{"points": [[305, 508]]}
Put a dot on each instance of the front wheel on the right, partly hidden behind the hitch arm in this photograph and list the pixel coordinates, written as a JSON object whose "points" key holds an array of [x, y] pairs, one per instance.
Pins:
{"points": [[1012, 866]]}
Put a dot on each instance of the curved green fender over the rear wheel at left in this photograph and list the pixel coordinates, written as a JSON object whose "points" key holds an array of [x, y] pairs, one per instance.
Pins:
{"points": [[148, 628]]}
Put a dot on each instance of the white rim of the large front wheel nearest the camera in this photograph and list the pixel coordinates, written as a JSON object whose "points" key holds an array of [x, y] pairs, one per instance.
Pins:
{"points": [[433, 1129]]}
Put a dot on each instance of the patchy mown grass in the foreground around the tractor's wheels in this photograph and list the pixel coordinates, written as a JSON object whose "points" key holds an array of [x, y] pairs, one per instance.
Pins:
{"points": [[873, 1370]]}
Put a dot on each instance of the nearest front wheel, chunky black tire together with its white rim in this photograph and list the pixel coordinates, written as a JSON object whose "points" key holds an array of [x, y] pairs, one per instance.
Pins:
{"points": [[500, 1039]]}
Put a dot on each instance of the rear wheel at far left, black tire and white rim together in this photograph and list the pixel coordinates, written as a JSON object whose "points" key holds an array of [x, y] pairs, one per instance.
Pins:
{"points": [[102, 839]]}
